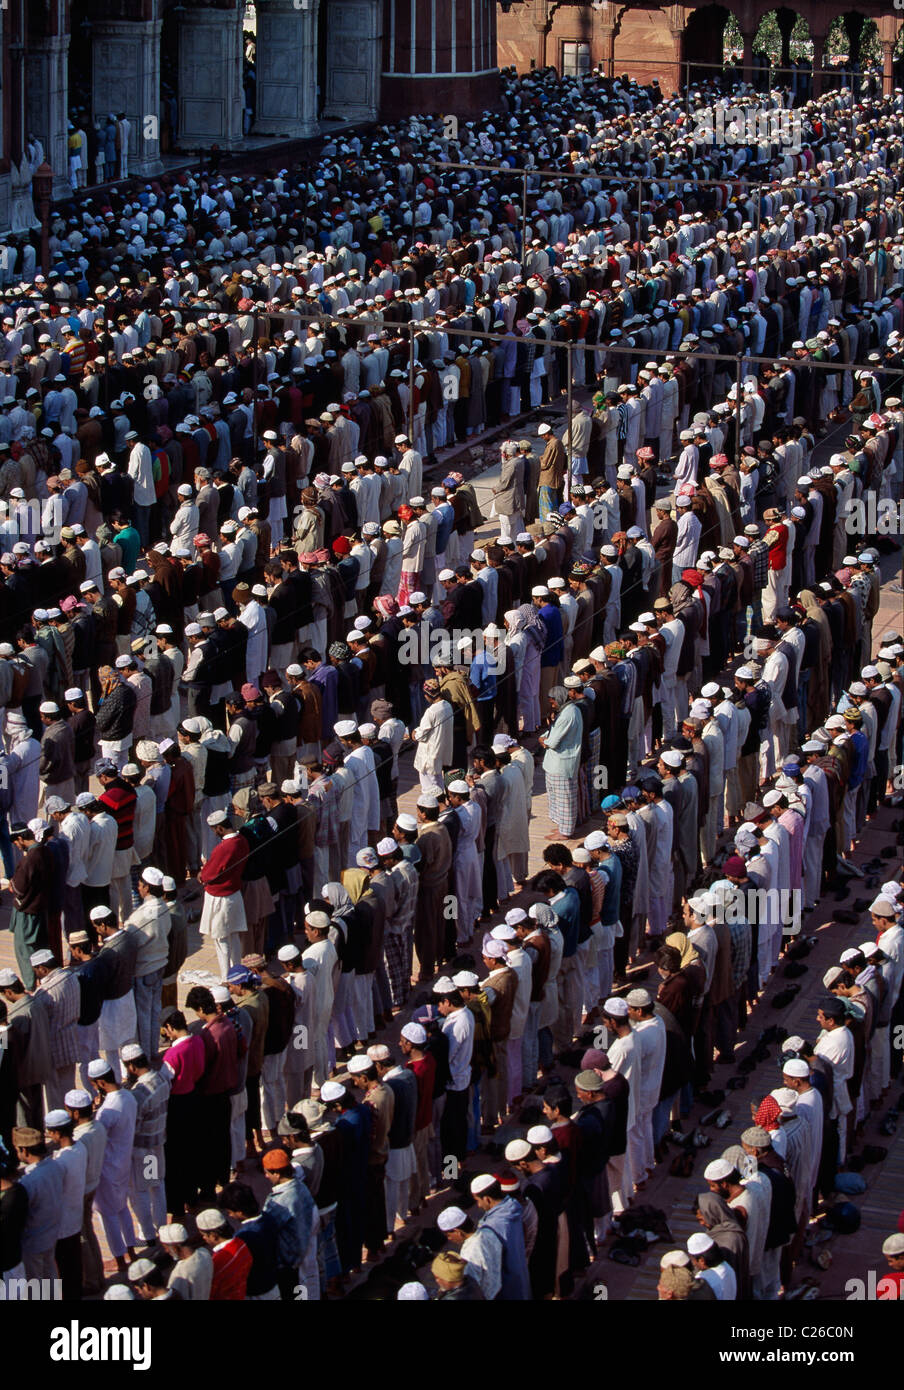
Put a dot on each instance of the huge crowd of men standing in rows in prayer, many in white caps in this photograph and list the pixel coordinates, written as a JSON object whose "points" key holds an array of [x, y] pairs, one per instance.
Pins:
{"points": [[233, 605]]}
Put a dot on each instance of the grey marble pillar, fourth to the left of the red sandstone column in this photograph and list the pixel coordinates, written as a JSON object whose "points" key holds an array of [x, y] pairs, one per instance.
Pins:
{"points": [[126, 77]]}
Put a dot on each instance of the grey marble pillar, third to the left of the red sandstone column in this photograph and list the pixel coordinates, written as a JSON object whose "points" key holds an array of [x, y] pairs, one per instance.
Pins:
{"points": [[211, 79]]}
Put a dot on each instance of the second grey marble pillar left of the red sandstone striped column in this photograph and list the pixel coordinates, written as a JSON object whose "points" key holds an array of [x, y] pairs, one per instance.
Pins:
{"points": [[287, 69]]}
